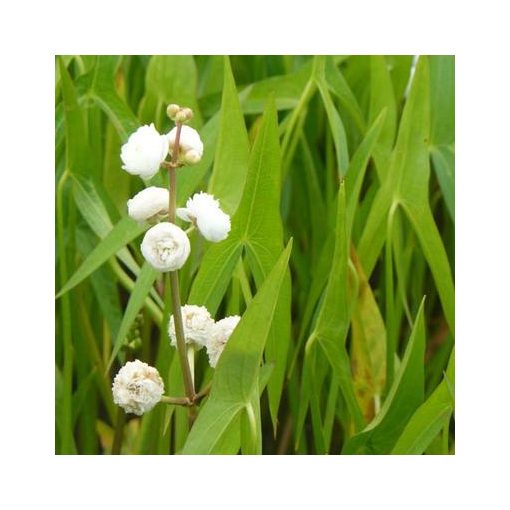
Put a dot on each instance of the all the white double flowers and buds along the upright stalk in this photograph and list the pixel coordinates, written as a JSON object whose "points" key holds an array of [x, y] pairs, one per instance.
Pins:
{"points": [[138, 387]]}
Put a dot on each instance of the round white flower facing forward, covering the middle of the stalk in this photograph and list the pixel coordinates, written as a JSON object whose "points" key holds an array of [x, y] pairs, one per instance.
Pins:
{"points": [[165, 247]]}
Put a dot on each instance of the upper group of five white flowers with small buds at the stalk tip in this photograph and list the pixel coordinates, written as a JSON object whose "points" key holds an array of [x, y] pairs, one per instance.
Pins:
{"points": [[166, 246]]}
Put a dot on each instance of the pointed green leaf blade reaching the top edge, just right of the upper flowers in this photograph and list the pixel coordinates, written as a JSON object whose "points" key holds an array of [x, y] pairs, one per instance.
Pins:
{"points": [[232, 150]]}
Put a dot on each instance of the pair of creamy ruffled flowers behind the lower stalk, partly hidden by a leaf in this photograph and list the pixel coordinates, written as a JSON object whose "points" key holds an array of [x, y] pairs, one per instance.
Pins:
{"points": [[200, 330]]}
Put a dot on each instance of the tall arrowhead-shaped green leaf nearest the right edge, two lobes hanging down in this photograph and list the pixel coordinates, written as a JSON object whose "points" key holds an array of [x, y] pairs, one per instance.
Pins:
{"points": [[407, 184]]}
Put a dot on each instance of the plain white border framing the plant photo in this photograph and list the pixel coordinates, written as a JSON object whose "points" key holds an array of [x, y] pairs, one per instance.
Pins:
{"points": [[33, 33]]}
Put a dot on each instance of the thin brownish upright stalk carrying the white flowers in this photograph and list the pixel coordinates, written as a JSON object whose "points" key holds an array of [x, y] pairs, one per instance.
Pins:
{"points": [[174, 275]]}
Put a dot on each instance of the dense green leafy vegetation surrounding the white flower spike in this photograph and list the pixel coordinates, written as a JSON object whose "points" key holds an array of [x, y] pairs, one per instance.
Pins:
{"points": [[337, 153]]}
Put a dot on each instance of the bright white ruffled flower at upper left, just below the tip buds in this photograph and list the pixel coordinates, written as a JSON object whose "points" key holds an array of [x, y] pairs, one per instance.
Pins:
{"points": [[144, 152]]}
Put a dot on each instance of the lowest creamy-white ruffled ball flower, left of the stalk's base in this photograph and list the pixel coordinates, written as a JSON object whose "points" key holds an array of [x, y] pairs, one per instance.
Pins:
{"points": [[137, 388]]}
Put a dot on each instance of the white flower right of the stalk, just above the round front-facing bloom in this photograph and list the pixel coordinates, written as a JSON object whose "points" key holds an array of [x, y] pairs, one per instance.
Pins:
{"points": [[204, 211]]}
